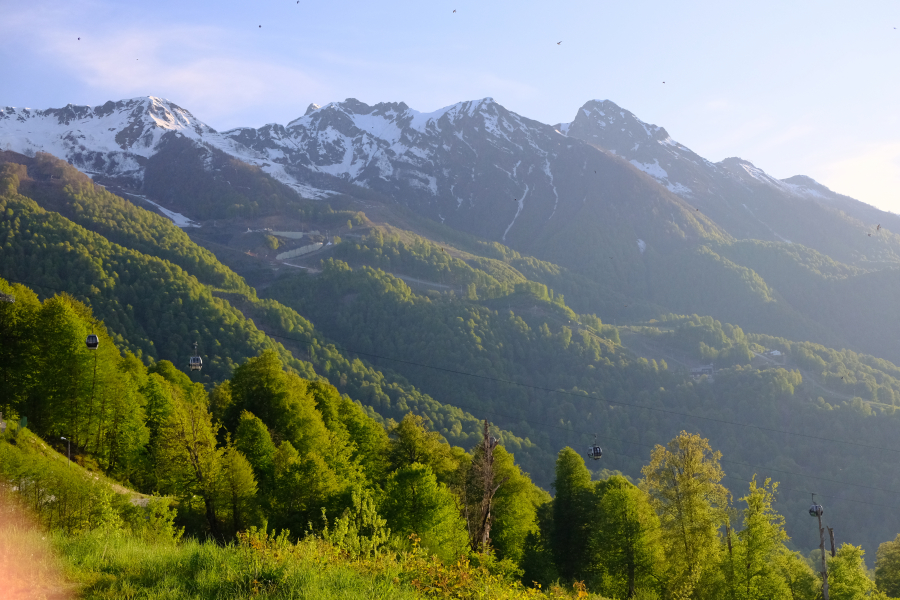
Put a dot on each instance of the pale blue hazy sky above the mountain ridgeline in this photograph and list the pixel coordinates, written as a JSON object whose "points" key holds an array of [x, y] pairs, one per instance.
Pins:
{"points": [[807, 88]]}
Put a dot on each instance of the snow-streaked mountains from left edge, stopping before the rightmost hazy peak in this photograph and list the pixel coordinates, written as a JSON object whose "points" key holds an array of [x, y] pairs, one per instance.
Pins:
{"points": [[474, 166]]}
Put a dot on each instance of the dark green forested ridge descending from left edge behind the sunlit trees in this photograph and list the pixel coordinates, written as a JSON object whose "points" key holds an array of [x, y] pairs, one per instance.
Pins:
{"points": [[165, 305]]}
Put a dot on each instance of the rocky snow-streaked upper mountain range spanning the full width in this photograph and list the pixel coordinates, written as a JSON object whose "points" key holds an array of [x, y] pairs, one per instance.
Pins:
{"points": [[603, 194]]}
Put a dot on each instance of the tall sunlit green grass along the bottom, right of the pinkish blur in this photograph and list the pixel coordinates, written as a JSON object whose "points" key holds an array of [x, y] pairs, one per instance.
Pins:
{"points": [[114, 564]]}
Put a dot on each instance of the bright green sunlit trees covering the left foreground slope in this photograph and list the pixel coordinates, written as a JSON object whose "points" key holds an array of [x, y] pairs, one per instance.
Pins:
{"points": [[265, 446]]}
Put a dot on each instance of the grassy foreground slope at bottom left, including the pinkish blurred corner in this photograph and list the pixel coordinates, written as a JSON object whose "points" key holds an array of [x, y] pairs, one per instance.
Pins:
{"points": [[115, 559]]}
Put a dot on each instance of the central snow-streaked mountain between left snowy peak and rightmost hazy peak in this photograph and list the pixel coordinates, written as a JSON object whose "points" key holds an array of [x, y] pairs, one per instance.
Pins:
{"points": [[474, 166]]}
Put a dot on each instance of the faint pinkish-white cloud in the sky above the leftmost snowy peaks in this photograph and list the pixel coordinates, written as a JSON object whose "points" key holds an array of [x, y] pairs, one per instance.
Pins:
{"points": [[198, 67]]}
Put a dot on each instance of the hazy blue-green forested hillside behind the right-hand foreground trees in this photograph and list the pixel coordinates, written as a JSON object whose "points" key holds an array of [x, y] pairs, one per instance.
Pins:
{"points": [[547, 373]]}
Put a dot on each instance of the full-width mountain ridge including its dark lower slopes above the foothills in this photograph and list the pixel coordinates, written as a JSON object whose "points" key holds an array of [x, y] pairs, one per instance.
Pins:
{"points": [[606, 196]]}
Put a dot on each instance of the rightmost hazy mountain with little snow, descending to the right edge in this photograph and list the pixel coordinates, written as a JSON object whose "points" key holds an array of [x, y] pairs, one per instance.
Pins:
{"points": [[738, 196]]}
